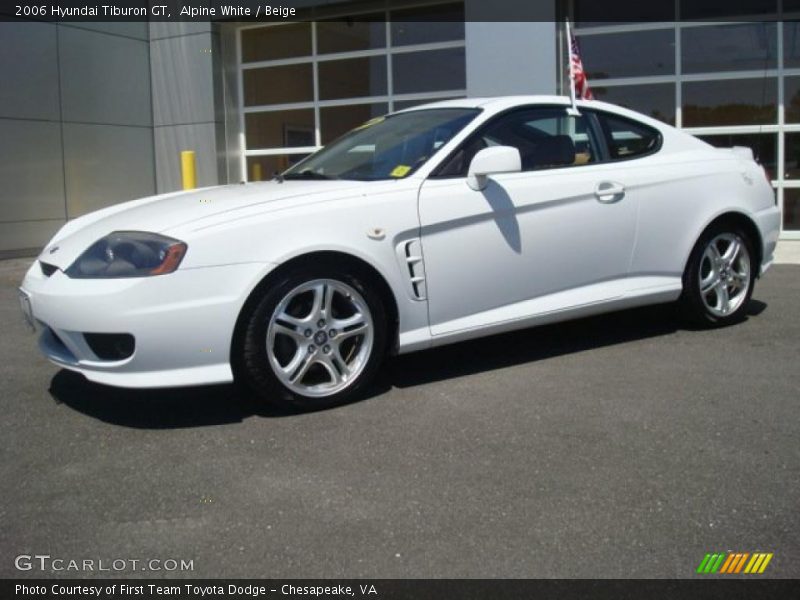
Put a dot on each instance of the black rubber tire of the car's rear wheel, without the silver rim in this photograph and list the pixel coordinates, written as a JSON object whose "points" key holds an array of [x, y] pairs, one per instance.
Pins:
{"points": [[693, 306]]}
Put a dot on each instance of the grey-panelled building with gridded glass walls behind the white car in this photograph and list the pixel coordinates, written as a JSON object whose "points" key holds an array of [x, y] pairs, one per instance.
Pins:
{"points": [[95, 114]]}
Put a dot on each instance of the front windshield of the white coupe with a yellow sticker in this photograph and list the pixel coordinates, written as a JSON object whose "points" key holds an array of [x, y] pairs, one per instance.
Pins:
{"points": [[389, 147]]}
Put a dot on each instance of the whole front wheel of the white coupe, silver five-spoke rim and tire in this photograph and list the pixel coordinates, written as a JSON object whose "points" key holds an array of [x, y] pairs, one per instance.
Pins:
{"points": [[313, 340]]}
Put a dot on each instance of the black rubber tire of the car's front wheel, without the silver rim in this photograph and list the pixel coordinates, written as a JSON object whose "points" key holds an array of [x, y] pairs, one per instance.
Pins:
{"points": [[255, 367]]}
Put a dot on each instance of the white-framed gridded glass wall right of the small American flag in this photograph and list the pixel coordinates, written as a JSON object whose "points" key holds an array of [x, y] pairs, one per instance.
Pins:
{"points": [[731, 84]]}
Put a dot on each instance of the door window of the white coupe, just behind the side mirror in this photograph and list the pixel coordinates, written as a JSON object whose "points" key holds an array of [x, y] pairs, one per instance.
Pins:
{"points": [[546, 138]]}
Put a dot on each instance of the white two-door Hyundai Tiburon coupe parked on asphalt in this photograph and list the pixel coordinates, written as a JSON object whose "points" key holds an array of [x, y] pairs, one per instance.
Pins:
{"points": [[428, 226]]}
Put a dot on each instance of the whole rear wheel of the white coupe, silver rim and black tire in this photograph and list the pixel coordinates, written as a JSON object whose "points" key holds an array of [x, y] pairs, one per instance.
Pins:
{"points": [[719, 277]]}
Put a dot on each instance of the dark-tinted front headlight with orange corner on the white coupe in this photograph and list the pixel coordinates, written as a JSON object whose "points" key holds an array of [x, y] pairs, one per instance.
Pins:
{"points": [[128, 254]]}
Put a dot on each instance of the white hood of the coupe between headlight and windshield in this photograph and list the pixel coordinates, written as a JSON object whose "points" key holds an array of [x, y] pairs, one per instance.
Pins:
{"points": [[205, 206]]}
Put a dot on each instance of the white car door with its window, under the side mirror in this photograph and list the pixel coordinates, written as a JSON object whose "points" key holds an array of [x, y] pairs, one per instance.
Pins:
{"points": [[556, 235]]}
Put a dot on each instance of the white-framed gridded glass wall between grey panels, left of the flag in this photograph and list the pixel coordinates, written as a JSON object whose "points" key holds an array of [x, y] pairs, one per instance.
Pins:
{"points": [[305, 84]]}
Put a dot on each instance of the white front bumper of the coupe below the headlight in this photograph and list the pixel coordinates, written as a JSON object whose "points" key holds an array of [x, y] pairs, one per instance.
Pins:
{"points": [[182, 323]]}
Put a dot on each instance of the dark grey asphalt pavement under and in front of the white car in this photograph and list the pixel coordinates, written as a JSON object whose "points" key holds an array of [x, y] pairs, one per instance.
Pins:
{"points": [[618, 446]]}
